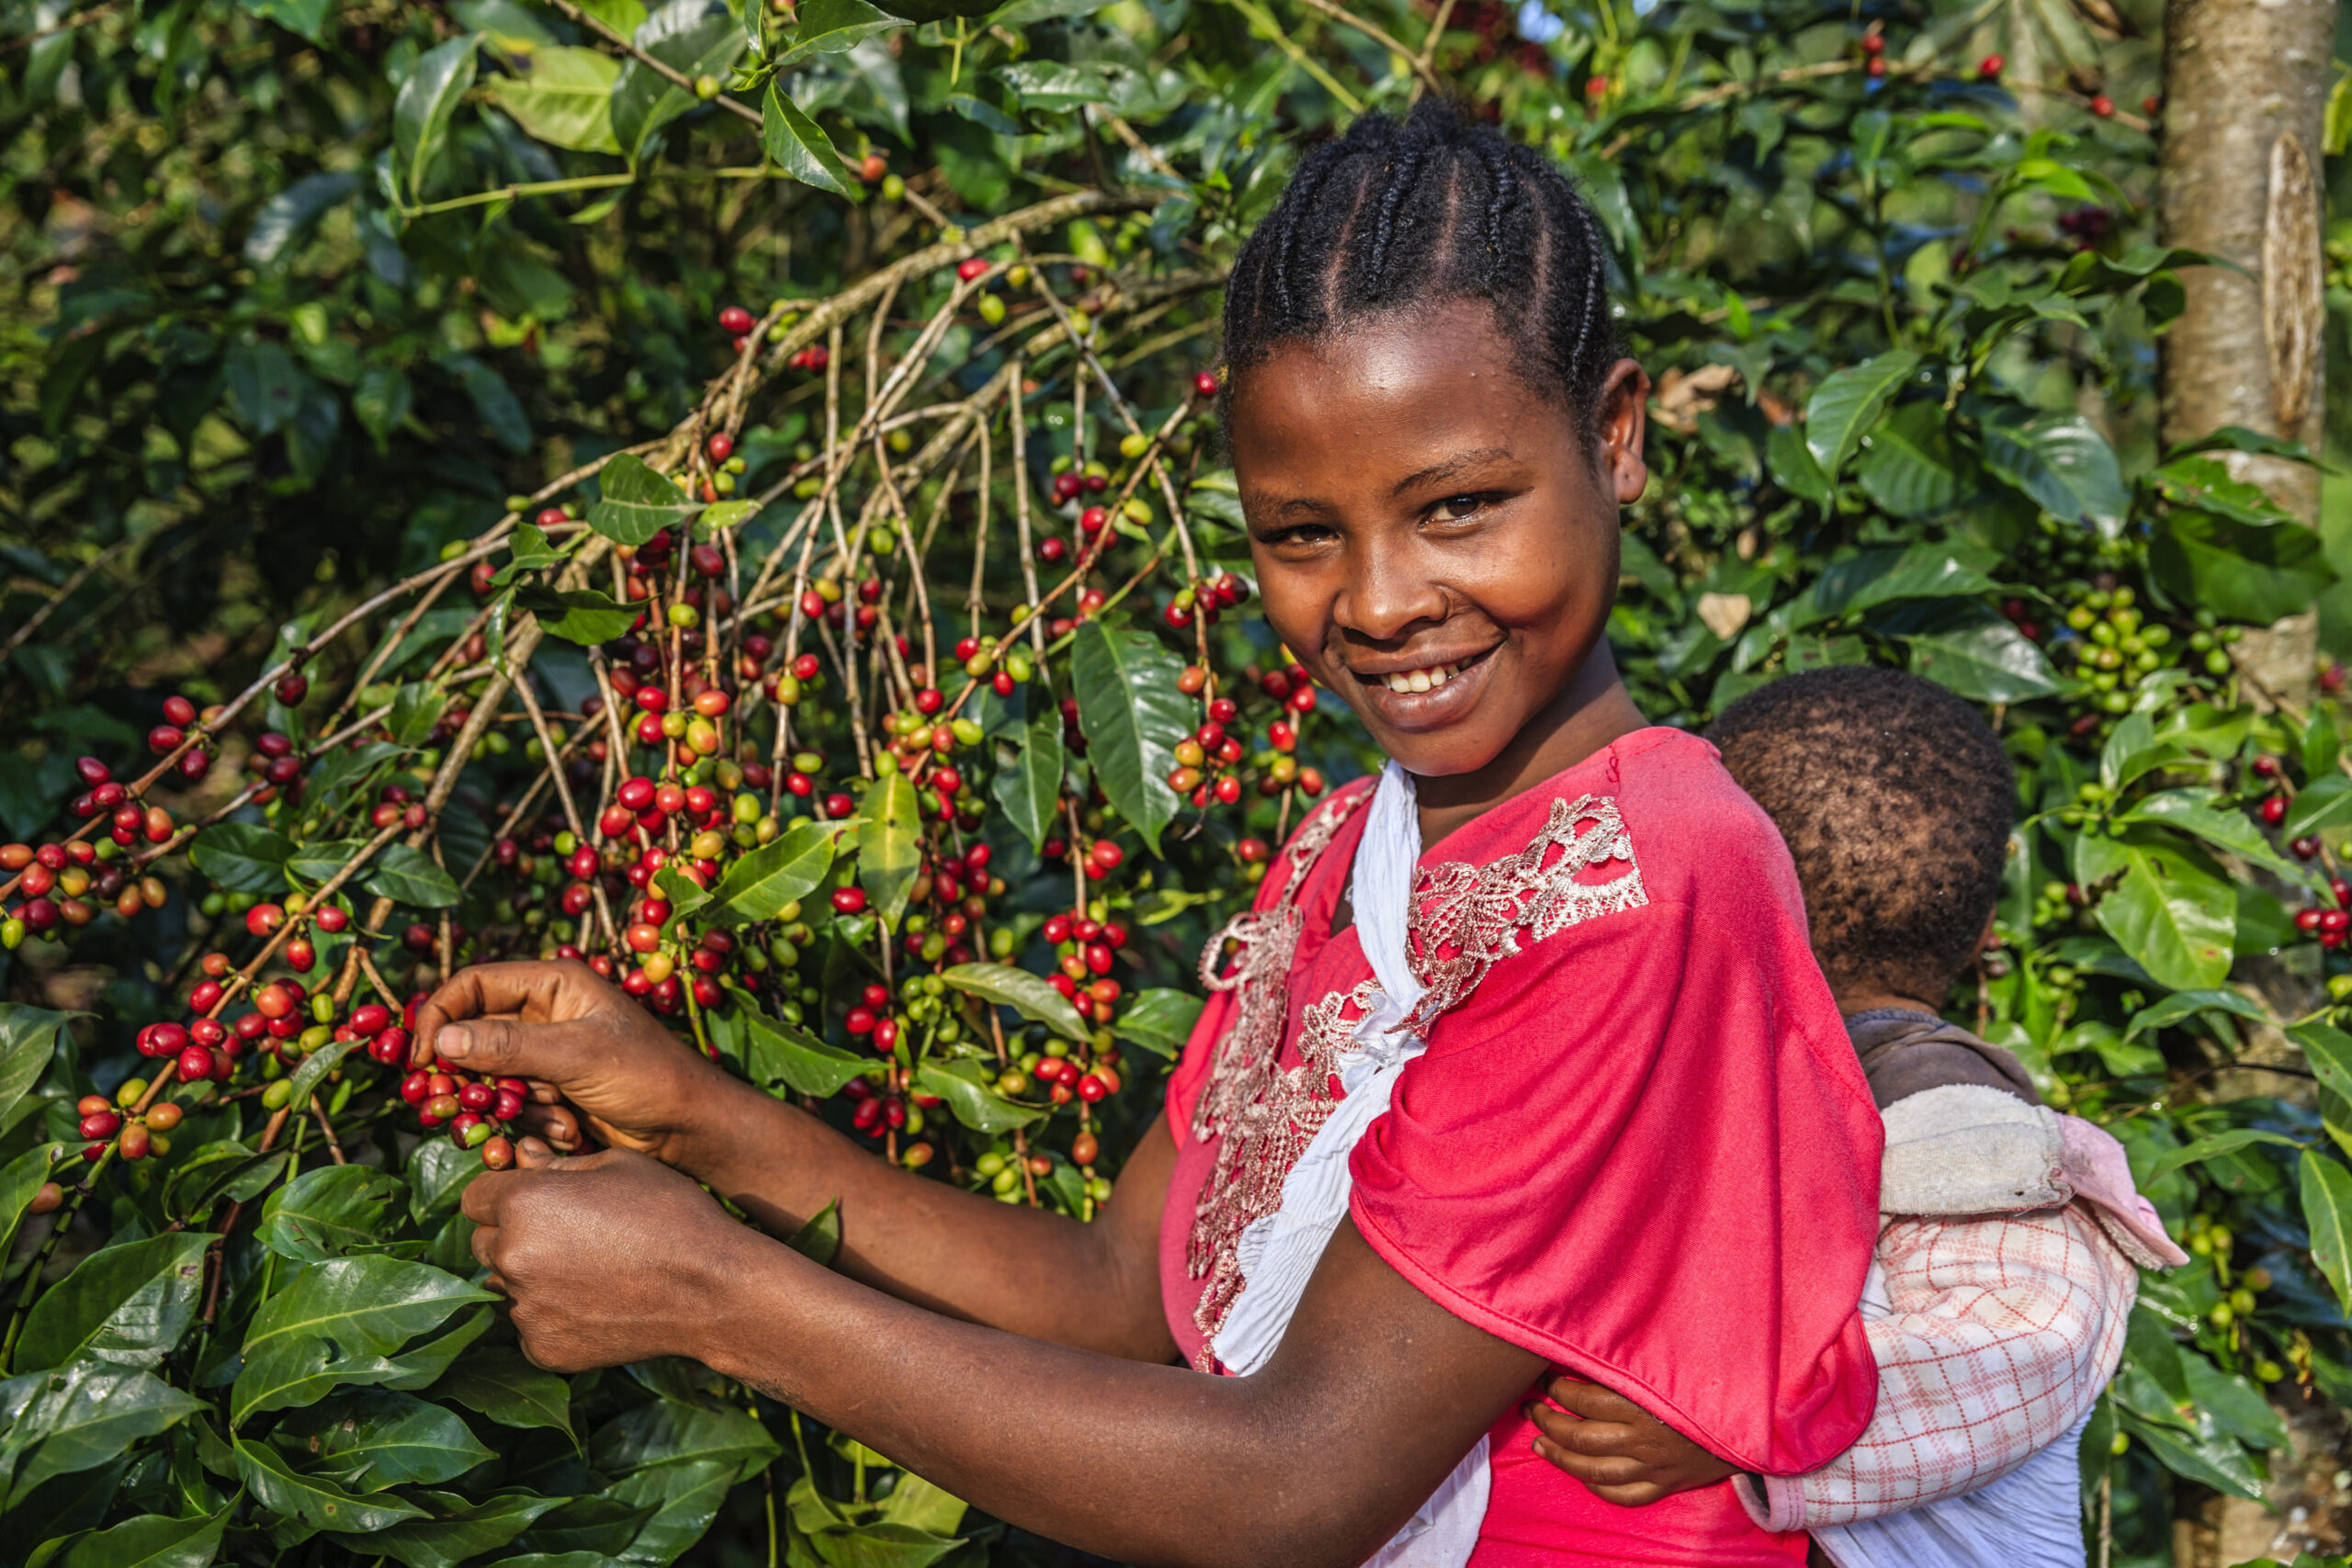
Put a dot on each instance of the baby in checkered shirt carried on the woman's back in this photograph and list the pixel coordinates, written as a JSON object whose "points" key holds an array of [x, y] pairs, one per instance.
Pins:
{"points": [[2005, 1271]]}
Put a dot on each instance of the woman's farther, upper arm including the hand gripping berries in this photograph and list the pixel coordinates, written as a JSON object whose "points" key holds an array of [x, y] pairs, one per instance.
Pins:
{"points": [[599, 1059]]}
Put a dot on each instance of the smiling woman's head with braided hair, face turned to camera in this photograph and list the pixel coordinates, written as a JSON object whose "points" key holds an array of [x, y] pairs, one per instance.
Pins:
{"points": [[1434, 431]]}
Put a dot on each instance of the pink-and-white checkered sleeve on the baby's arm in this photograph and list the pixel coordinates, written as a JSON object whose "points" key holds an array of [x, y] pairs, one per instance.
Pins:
{"points": [[2003, 1334]]}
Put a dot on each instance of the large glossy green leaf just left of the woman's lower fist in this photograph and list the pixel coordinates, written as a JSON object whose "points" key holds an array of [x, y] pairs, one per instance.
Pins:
{"points": [[335, 1325]]}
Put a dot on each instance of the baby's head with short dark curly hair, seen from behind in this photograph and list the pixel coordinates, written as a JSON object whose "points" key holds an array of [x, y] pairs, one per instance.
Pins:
{"points": [[1897, 803]]}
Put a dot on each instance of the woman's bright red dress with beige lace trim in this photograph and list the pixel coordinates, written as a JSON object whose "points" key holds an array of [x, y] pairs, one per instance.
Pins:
{"points": [[1638, 1146]]}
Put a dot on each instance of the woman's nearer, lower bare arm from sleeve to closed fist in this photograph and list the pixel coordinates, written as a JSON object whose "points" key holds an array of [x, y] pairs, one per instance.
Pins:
{"points": [[1318, 1459]]}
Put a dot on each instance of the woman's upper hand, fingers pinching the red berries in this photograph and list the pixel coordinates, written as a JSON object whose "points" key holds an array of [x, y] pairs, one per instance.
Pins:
{"points": [[596, 1061]]}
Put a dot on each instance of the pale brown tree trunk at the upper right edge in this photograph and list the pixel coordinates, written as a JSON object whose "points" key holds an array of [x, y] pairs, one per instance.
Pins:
{"points": [[2245, 95]]}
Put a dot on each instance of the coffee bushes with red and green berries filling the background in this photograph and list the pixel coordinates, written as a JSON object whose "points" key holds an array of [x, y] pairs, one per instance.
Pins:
{"points": [[733, 497]]}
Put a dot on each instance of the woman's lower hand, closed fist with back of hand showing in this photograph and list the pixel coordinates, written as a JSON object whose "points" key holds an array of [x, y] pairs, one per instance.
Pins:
{"points": [[606, 1259]]}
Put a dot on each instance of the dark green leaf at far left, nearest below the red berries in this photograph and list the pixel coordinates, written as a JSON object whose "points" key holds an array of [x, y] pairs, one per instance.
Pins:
{"points": [[123, 1304]]}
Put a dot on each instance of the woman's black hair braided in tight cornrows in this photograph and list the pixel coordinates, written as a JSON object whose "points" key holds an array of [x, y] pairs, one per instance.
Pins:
{"points": [[1424, 213]]}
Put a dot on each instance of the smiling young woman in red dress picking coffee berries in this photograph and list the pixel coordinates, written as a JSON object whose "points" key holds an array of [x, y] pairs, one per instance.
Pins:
{"points": [[1518, 1064]]}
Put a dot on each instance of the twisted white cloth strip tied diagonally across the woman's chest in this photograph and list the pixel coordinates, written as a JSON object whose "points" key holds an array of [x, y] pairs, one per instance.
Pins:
{"points": [[1278, 1254]]}
